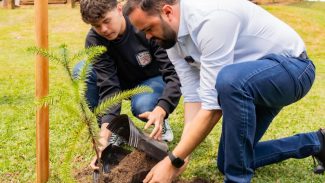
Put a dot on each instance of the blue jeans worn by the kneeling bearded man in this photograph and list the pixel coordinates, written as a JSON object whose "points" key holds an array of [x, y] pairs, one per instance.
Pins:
{"points": [[251, 94]]}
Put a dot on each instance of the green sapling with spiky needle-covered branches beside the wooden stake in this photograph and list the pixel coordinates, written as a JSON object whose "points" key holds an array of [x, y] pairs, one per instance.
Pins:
{"points": [[79, 107]]}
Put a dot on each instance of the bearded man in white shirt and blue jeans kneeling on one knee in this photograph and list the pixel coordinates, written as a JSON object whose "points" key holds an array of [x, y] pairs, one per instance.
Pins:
{"points": [[246, 64]]}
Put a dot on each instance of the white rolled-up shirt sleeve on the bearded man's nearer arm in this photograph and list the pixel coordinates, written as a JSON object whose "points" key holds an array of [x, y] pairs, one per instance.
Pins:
{"points": [[216, 38]]}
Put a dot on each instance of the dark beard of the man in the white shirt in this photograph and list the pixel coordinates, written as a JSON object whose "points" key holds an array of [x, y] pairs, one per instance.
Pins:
{"points": [[168, 39]]}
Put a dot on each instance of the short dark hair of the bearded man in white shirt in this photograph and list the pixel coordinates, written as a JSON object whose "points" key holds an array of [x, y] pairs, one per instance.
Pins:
{"points": [[152, 7]]}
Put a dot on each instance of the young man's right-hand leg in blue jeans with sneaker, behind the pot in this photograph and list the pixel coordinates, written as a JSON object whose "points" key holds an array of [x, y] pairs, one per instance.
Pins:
{"points": [[147, 102]]}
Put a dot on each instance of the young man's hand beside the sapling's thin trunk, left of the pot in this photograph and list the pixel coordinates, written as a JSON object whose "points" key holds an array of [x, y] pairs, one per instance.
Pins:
{"points": [[104, 135]]}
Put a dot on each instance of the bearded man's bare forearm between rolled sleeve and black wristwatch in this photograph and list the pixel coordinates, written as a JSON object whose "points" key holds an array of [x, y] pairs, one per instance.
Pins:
{"points": [[197, 130]]}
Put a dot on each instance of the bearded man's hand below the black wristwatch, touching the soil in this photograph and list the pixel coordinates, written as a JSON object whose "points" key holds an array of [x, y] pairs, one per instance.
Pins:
{"points": [[163, 172]]}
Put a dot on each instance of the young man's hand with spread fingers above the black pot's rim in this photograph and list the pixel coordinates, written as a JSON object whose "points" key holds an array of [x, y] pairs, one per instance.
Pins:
{"points": [[155, 117]]}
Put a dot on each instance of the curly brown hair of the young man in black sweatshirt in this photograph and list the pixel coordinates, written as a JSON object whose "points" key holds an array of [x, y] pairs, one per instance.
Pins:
{"points": [[94, 10]]}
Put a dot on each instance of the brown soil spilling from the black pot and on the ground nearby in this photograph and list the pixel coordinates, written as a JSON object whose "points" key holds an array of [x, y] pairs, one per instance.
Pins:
{"points": [[132, 169]]}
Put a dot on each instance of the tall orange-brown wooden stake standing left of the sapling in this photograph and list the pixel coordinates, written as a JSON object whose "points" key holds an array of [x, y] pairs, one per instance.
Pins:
{"points": [[42, 88]]}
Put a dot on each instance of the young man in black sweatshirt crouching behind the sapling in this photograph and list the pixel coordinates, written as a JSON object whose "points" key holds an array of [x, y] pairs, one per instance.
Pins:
{"points": [[131, 60]]}
